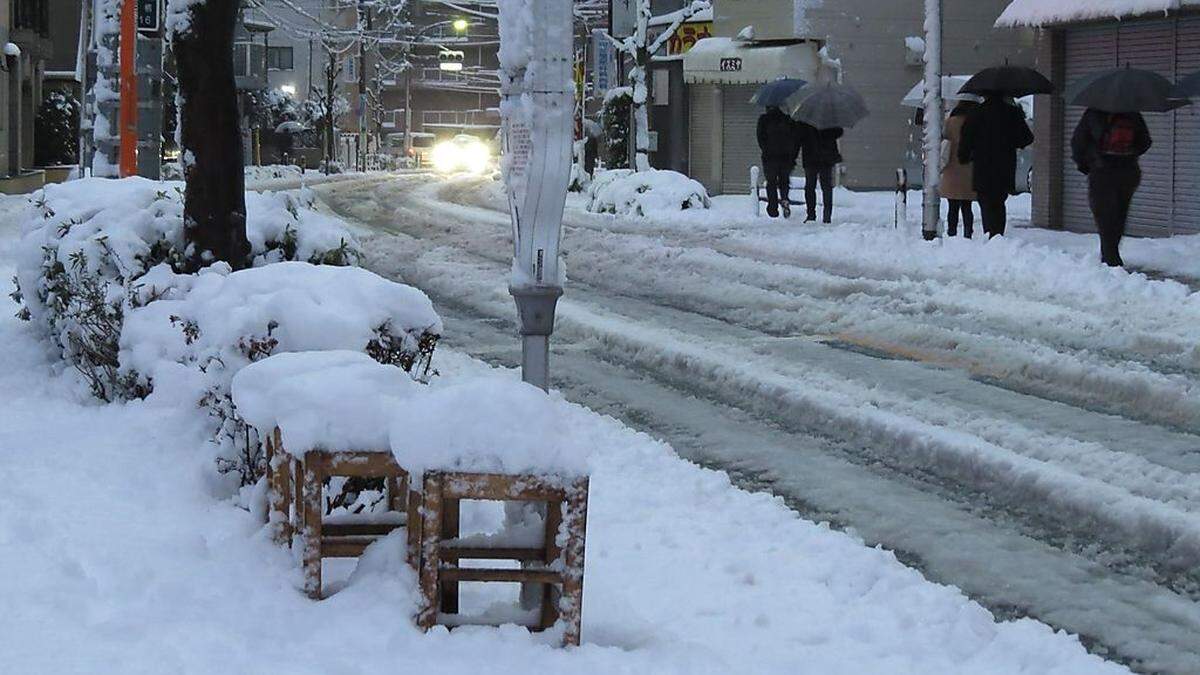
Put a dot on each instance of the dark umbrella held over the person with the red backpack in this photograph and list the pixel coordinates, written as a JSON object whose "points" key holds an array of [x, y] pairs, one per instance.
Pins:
{"points": [[1125, 91]]}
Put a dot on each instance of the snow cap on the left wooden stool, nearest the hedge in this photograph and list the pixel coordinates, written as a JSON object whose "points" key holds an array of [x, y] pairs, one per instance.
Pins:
{"points": [[334, 401]]}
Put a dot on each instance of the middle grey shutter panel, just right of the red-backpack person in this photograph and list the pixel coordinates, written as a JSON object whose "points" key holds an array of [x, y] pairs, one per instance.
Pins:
{"points": [[1151, 46]]}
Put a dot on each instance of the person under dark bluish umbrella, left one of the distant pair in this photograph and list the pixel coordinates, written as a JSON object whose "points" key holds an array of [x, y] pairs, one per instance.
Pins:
{"points": [[778, 142]]}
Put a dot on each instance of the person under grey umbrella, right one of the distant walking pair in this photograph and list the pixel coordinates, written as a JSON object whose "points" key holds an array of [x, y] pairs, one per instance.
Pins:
{"points": [[824, 111]]}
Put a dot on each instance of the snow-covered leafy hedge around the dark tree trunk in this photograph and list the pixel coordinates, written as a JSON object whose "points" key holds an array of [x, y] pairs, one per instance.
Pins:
{"points": [[100, 274]]}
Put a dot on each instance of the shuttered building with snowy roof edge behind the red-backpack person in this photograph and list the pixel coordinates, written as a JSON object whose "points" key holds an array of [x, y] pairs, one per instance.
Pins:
{"points": [[1072, 46]]}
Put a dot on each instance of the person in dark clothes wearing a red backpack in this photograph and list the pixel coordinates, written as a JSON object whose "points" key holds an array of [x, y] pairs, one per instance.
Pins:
{"points": [[1106, 148]]}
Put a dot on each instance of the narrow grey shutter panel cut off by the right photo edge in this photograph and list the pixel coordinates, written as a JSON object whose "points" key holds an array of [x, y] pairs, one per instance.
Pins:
{"points": [[1187, 133]]}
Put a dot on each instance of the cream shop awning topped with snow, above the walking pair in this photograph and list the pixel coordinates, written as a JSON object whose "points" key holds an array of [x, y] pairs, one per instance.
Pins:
{"points": [[734, 62]]}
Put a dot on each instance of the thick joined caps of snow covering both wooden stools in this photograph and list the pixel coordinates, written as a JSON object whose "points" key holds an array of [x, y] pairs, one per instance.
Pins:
{"points": [[344, 401]]}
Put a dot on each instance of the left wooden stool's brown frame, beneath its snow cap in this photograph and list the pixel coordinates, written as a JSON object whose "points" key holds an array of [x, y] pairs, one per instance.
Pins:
{"points": [[296, 505]]}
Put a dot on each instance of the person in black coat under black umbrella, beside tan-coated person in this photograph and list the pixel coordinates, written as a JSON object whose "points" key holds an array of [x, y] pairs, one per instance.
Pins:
{"points": [[993, 134]]}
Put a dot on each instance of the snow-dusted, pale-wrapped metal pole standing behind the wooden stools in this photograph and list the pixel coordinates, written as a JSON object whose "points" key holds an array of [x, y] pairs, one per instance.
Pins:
{"points": [[537, 111]]}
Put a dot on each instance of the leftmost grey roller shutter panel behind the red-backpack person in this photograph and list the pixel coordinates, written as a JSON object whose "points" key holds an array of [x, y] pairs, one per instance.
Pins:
{"points": [[1089, 50]]}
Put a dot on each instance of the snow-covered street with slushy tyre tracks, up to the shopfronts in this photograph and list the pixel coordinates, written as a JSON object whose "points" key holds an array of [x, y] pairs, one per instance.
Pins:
{"points": [[1009, 416]]}
